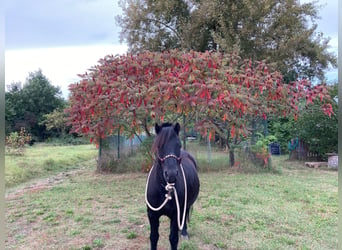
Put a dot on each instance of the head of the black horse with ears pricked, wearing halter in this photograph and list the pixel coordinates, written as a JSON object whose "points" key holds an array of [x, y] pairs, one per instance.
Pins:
{"points": [[167, 147]]}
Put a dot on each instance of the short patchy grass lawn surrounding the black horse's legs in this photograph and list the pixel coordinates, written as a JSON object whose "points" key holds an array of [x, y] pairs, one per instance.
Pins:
{"points": [[296, 209]]}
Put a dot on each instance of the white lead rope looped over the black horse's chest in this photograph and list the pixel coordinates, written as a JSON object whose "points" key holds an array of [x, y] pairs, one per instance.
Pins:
{"points": [[169, 187]]}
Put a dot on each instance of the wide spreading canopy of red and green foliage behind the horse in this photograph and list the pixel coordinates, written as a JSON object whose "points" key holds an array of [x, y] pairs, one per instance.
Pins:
{"points": [[132, 92]]}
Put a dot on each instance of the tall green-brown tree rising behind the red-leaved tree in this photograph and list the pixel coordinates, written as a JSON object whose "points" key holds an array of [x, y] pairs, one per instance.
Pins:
{"points": [[273, 30]]}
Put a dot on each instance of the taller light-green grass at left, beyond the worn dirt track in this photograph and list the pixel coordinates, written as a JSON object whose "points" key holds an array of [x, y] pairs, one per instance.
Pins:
{"points": [[42, 160]]}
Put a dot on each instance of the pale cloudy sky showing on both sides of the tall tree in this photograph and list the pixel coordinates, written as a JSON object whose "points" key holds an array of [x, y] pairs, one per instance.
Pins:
{"points": [[66, 37]]}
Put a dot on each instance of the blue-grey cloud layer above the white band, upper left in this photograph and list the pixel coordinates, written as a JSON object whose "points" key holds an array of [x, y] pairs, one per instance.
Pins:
{"points": [[41, 23]]}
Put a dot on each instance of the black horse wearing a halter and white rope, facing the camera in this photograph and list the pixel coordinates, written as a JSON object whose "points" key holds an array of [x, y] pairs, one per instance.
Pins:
{"points": [[172, 185]]}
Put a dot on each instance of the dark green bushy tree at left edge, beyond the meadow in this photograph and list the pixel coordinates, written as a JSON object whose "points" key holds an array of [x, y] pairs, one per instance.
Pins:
{"points": [[26, 106]]}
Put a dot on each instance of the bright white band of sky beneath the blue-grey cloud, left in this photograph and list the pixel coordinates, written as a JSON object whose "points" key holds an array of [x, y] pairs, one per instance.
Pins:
{"points": [[60, 65]]}
